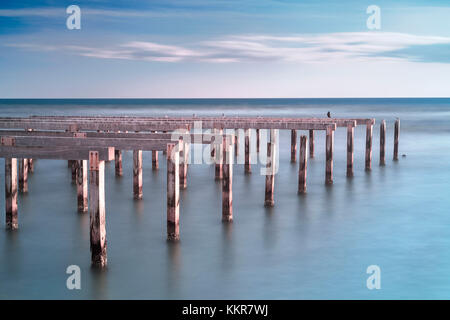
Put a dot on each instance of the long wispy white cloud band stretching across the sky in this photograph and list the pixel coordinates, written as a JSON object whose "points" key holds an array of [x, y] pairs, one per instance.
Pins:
{"points": [[310, 48]]}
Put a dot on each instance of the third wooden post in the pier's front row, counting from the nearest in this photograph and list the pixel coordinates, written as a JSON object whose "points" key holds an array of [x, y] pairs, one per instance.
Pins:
{"points": [[227, 181]]}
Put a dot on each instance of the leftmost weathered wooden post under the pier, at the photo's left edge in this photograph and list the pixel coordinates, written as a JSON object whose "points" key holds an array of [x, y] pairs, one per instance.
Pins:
{"points": [[11, 193]]}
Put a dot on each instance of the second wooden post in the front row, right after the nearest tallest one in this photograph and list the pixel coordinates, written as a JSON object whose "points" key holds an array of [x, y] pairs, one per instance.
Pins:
{"points": [[173, 193]]}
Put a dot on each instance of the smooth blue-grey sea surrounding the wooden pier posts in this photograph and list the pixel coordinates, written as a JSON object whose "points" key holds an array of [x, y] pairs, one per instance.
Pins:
{"points": [[316, 246]]}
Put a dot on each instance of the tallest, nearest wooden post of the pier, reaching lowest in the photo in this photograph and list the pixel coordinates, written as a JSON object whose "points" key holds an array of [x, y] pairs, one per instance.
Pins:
{"points": [[97, 210]]}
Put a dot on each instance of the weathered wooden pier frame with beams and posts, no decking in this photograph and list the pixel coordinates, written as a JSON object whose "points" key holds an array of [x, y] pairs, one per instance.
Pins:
{"points": [[86, 142]]}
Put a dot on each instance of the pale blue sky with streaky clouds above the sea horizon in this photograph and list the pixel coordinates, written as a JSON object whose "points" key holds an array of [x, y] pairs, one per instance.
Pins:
{"points": [[224, 49]]}
